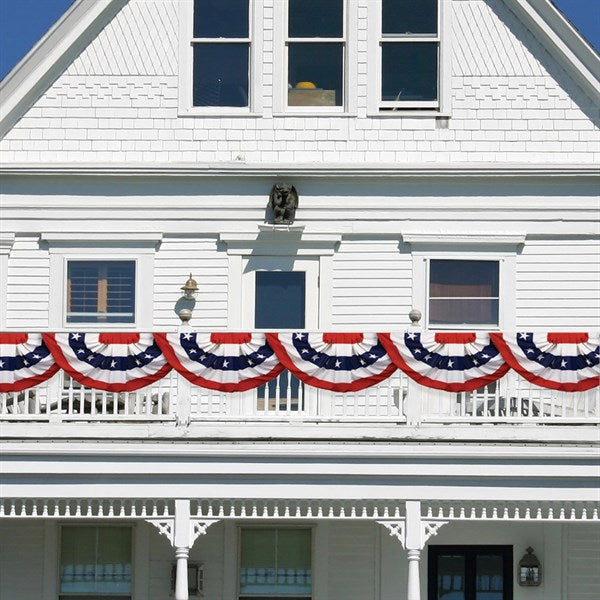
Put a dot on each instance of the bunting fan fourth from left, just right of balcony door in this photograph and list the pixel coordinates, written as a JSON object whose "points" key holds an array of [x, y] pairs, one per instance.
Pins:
{"points": [[342, 362]]}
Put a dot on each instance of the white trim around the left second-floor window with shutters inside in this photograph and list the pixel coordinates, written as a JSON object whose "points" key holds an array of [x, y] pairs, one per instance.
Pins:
{"points": [[141, 250]]}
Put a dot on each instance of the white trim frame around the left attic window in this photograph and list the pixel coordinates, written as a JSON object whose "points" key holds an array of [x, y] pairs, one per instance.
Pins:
{"points": [[186, 107]]}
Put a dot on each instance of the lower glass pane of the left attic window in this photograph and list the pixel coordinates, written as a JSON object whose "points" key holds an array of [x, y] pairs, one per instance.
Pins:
{"points": [[221, 74]]}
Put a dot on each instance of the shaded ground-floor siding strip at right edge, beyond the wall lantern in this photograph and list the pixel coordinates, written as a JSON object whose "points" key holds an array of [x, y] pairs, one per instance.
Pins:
{"points": [[583, 562]]}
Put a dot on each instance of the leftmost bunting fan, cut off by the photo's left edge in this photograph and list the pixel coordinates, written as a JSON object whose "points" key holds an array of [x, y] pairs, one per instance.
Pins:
{"points": [[25, 361]]}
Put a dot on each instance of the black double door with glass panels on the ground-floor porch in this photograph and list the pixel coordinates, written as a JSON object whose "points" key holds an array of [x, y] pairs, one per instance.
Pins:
{"points": [[470, 573]]}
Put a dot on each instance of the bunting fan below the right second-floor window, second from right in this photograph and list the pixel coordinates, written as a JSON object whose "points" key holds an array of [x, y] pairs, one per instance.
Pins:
{"points": [[454, 362]]}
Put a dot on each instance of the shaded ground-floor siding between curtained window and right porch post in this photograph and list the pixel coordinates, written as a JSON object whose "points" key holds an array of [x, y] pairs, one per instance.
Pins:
{"points": [[351, 561]]}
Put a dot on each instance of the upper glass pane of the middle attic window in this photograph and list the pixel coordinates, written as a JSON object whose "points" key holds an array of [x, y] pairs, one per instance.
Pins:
{"points": [[316, 18]]}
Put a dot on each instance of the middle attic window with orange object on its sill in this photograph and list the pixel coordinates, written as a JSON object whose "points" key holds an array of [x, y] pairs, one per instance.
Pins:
{"points": [[315, 52]]}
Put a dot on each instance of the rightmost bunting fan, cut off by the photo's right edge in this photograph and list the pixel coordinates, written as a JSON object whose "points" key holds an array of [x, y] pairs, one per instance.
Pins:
{"points": [[568, 362]]}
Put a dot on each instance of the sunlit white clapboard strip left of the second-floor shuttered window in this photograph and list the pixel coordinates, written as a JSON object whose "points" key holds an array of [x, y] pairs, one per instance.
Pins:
{"points": [[27, 285]]}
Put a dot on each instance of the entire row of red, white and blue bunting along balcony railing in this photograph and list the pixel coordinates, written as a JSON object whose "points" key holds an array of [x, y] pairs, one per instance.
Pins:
{"points": [[341, 362]]}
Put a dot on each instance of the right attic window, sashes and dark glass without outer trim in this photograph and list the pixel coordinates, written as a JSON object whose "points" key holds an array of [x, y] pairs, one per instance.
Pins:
{"points": [[410, 54]]}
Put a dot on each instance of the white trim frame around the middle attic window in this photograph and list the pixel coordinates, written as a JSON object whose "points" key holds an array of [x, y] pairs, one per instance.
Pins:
{"points": [[280, 64]]}
